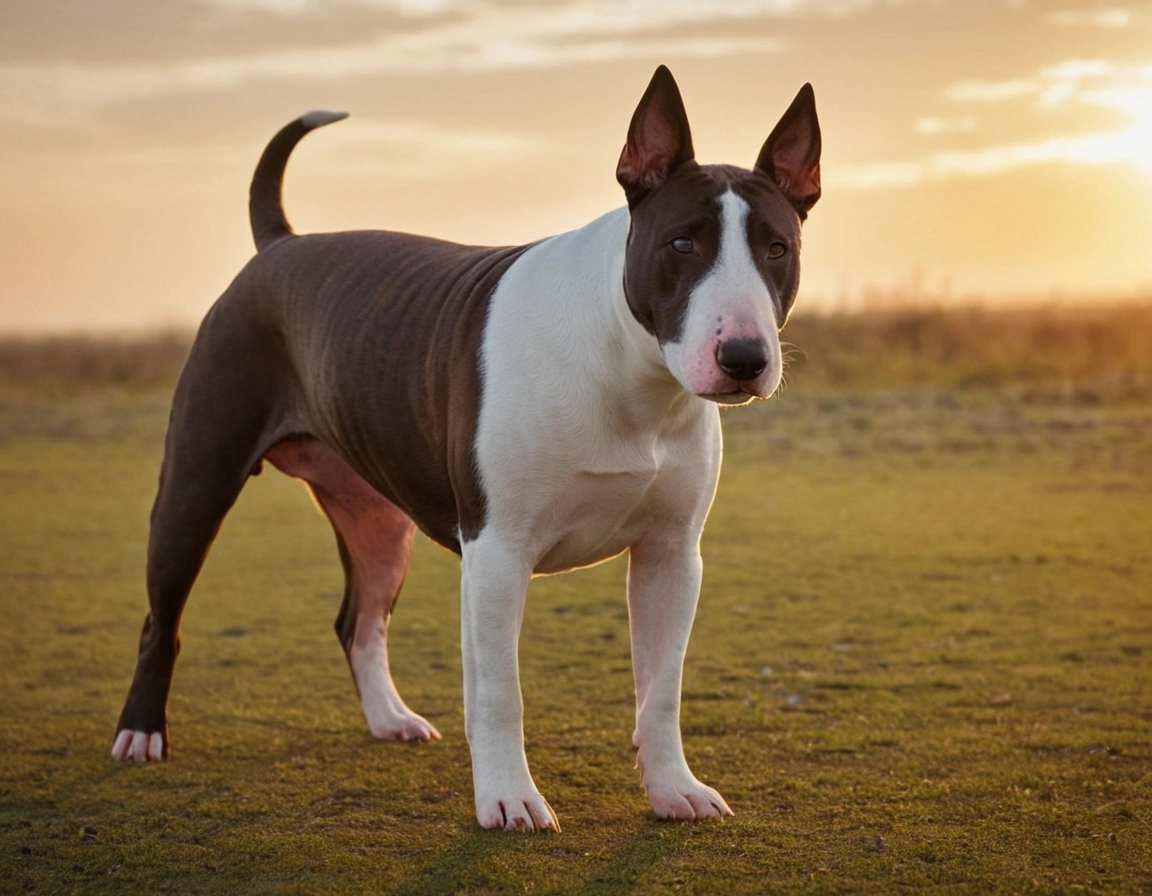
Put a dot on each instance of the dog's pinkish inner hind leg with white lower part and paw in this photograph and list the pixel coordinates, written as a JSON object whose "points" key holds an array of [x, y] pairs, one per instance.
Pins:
{"points": [[375, 538]]}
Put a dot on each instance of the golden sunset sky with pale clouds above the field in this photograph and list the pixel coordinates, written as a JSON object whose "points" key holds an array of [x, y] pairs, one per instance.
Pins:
{"points": [[974, 150]]}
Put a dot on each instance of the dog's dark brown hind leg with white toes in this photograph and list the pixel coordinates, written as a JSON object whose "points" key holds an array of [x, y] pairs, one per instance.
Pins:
{"points": [[214, 444]]}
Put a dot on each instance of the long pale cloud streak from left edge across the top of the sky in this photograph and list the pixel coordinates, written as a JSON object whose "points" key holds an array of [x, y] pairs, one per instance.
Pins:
{"points": [[479, 37]]}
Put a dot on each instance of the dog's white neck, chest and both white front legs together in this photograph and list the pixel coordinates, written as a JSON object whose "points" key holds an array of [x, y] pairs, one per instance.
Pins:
{"points": [[586, 446]]}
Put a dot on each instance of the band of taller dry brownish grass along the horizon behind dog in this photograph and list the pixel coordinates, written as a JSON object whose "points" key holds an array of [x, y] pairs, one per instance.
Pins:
{"points": [[1092, 348]]}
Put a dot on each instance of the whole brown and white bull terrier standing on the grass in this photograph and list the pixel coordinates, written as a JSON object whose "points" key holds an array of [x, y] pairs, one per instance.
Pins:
{"points": [[535, 409]]}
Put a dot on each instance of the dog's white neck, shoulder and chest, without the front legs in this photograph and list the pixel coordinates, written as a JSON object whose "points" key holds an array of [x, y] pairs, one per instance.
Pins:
{"points": [[585, 442]]}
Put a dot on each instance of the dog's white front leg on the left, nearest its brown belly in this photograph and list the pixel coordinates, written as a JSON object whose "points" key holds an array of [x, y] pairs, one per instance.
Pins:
{"points": [[494, 593]]}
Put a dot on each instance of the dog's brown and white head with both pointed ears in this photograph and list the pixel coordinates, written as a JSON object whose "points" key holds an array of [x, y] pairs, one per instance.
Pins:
{"points": [[713, 263]]}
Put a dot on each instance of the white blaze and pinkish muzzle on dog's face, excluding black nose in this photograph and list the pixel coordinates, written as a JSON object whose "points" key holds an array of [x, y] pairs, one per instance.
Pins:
{"points": [[732, 302]]}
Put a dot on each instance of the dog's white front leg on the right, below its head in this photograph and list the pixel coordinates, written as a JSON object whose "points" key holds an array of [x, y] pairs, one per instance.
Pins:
{"points": [[664, 584]]}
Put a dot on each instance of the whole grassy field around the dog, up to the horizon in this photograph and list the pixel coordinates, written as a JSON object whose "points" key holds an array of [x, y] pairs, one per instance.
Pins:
{"points": [[922, 663]]}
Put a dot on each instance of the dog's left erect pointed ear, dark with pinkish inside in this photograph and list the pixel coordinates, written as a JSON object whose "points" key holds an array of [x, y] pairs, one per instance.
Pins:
{"points": [[658, 139]]}
